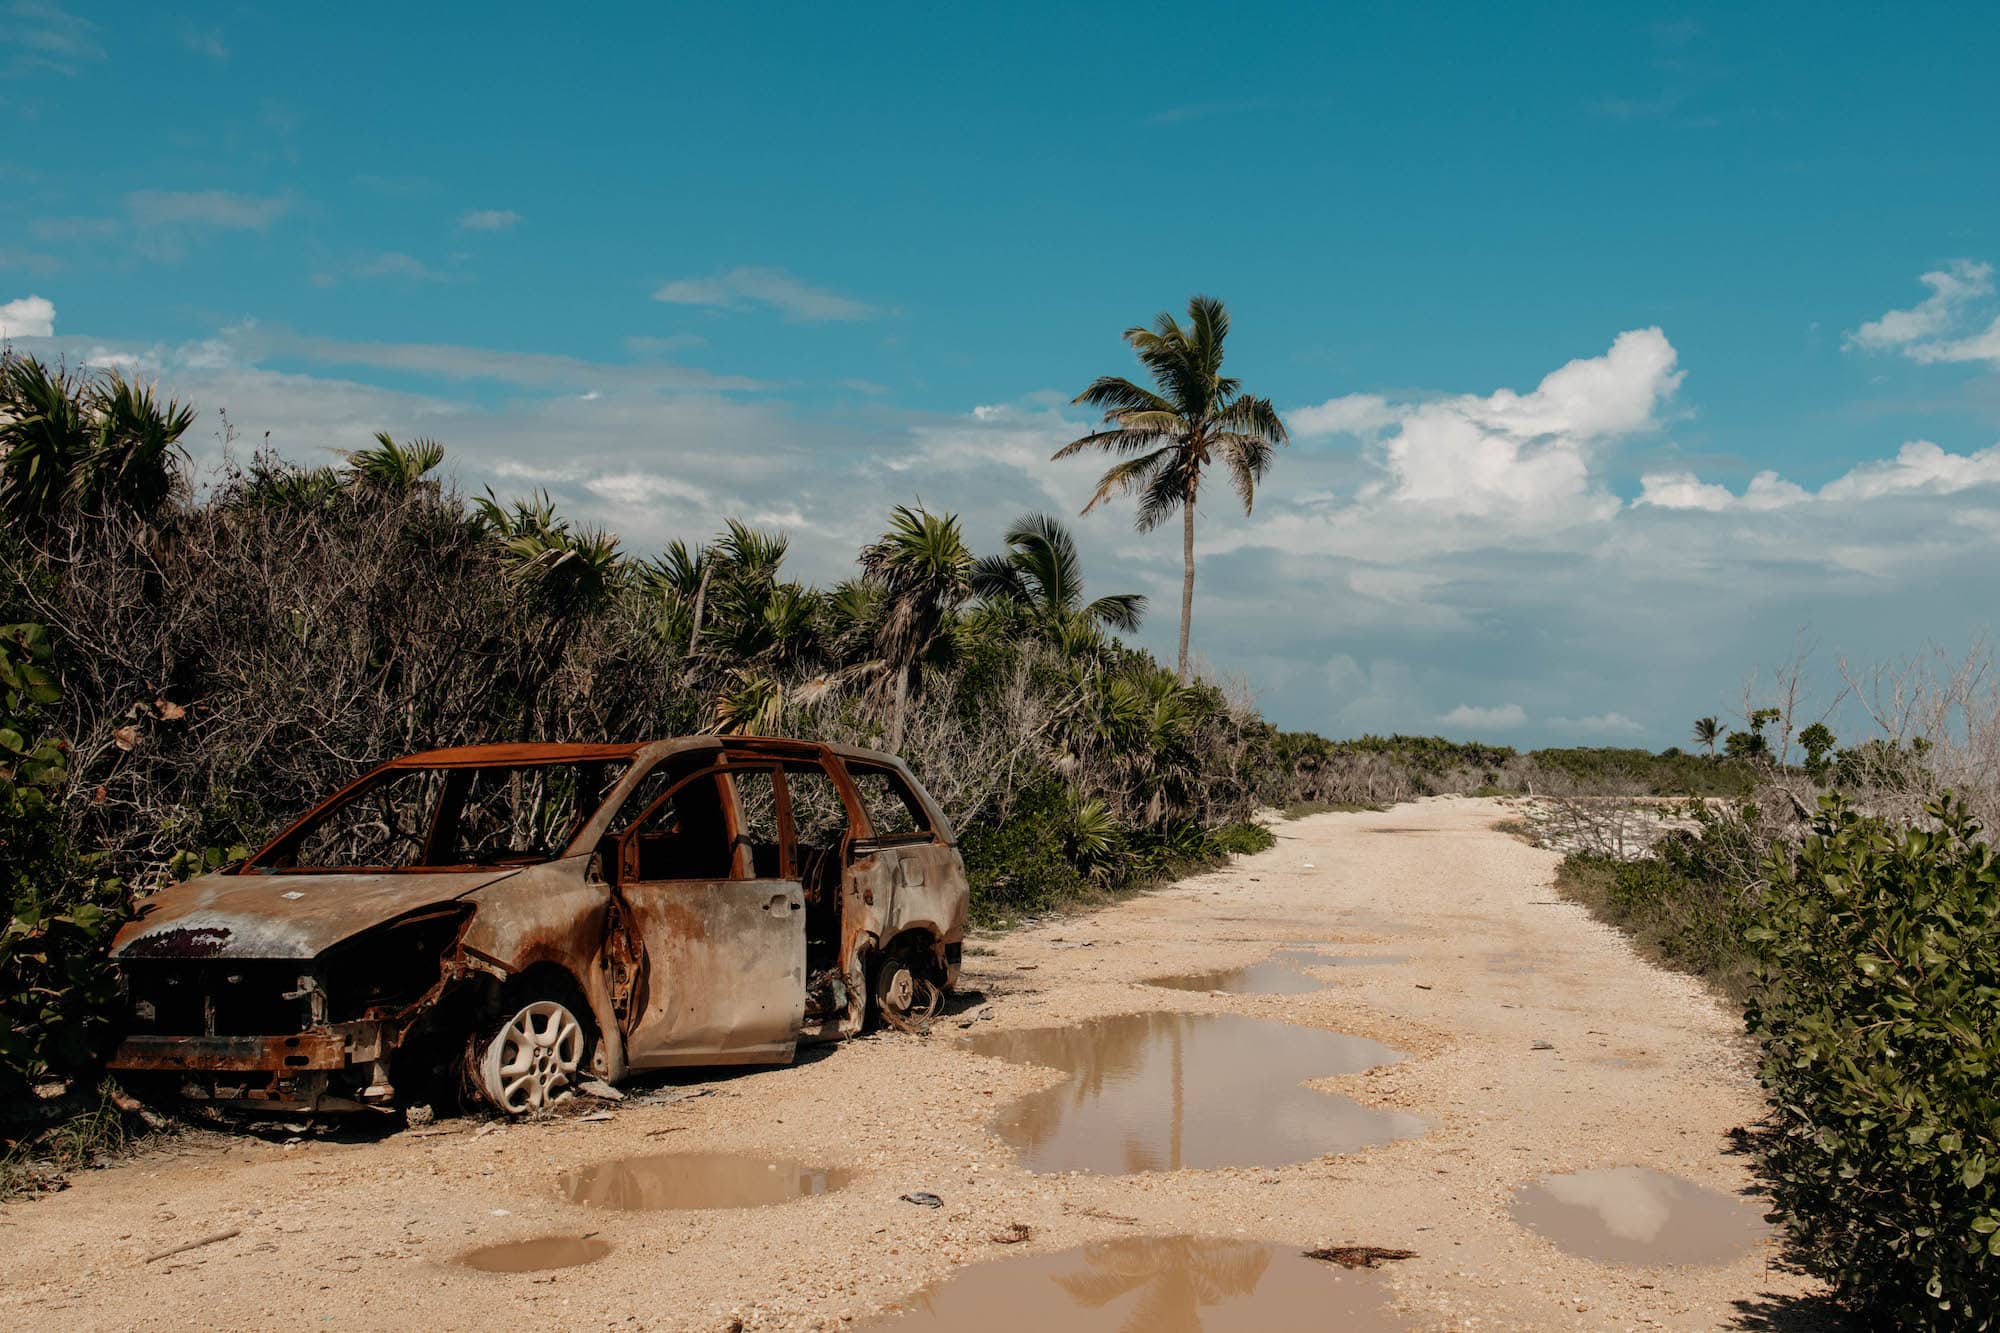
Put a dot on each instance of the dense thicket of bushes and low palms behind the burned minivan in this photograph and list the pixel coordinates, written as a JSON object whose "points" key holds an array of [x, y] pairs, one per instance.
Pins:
{"points": [[237, 649]]}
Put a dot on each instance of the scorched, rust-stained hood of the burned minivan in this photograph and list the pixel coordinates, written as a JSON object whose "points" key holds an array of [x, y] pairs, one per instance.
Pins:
{"points": [[281, 916]]}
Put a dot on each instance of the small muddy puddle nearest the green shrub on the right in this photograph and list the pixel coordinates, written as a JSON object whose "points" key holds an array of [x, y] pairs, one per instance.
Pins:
{"points": [[1639, 1216]]}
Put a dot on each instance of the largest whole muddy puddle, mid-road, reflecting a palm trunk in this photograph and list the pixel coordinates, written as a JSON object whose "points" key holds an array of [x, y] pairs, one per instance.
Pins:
{"points": [[1159, 1092]]}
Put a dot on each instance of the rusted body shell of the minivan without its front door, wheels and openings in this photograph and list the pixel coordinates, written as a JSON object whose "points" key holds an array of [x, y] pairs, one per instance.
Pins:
{"points": [[565, 920]]}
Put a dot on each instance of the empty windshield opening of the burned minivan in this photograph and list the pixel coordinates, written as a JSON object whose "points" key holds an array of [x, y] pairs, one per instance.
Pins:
{"points": [[433, 820]]}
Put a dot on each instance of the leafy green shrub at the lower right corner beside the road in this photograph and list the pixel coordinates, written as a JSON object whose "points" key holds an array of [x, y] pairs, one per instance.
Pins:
{"points": [[1879, 1012]]}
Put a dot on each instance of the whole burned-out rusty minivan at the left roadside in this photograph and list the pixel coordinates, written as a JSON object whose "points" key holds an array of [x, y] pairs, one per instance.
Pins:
{"points": [[513, 922]]}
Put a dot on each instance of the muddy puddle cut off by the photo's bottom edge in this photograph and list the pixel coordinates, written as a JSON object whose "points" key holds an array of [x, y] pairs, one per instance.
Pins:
{"points": [[1155, 1284]]}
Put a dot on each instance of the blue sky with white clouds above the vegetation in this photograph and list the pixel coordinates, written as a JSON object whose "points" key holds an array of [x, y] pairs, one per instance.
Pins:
{"points": [[805, 263]]}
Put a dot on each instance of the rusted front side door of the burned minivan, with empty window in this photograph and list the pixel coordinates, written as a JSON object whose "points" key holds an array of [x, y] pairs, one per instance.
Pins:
{"points": [[711, 896]]}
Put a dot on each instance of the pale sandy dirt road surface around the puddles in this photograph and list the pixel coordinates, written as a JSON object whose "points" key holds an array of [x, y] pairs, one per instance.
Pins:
{"points": [[1637, 1068]]}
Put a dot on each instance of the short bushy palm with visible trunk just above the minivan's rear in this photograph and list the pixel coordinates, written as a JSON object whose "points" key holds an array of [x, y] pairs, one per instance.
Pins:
{"points": [[925, 573]]}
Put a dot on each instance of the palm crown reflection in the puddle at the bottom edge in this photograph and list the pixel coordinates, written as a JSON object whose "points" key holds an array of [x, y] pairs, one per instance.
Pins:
{"points": [[1177, 1278]]}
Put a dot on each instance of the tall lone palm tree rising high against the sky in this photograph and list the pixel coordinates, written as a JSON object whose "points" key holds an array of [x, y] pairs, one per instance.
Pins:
{"points": [[1169, 435]]}
